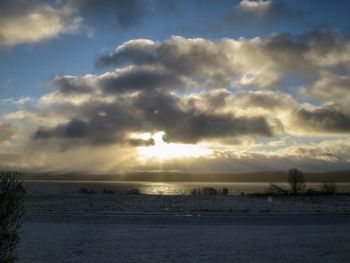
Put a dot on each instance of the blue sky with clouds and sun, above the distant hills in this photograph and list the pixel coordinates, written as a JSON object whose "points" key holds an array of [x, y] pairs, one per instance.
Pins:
{"points": [[165, 85]]}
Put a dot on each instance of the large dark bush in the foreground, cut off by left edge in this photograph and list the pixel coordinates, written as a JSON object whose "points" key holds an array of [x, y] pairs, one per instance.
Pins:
{"points": [[11, 212]]}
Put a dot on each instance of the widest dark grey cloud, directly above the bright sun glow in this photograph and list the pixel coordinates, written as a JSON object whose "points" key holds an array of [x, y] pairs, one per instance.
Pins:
{"points": [[152, 111]]}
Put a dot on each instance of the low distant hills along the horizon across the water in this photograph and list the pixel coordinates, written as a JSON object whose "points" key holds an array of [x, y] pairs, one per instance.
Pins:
{"points": [[275, 176]]}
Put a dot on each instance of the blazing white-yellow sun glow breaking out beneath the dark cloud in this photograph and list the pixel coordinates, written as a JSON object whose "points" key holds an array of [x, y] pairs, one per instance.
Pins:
{"points": [[165, 151]]}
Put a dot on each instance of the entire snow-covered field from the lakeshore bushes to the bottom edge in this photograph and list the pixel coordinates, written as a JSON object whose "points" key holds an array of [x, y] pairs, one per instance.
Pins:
{"points": [[138, 228]]}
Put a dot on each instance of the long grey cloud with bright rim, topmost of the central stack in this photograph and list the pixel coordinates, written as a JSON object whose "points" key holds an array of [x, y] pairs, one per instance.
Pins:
{"points": [[188, 57]]}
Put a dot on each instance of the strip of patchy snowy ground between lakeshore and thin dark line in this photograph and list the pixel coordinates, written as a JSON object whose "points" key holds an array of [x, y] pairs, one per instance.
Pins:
{"points": [[186, 204]]}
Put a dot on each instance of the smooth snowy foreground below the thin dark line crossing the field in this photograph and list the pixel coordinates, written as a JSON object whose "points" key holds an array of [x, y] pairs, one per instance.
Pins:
{"points": [[184, 238]]}
